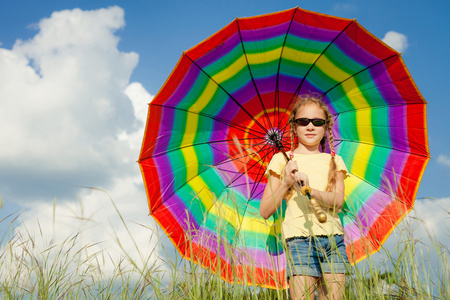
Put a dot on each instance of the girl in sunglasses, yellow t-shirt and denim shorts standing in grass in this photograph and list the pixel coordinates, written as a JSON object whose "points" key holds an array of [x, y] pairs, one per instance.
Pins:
{"points": [[316, 250]]}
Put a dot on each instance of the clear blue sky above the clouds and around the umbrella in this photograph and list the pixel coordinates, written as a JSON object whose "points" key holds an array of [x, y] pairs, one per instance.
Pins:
{"points": [[158, 31]]}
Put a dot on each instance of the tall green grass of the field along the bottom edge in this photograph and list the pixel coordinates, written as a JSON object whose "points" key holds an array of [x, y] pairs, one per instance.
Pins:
{"points": [[73, 269]]}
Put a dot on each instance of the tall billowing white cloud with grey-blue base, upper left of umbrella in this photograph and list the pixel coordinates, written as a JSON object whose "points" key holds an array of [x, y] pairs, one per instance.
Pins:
{"points": [[64, 106]]}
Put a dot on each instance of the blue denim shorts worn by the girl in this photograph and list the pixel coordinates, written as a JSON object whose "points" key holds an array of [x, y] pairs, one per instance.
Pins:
{"points": [[312, 256]]}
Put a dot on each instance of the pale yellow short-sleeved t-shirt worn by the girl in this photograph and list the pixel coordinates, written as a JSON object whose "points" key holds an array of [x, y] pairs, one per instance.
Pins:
{"points": [[300, 219]]}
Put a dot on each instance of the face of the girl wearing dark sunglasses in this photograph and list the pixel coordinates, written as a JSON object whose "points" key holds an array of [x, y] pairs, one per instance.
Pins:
{"points": [[310, 135]]}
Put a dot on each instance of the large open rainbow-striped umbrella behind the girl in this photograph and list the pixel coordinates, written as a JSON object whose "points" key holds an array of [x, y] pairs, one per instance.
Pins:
{"points": [[205, 147]]}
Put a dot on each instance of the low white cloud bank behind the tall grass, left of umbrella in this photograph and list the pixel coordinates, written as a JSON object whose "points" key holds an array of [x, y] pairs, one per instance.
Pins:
{"points": [[104, 246]]}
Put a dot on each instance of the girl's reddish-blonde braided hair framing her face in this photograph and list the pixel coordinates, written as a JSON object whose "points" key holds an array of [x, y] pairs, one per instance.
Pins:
{"points": [[313, 99]]}
